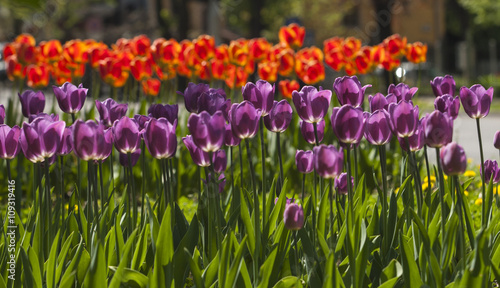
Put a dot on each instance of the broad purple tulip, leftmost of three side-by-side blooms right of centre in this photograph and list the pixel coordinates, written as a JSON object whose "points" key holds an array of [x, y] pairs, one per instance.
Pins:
{"points": [[348, 124]]}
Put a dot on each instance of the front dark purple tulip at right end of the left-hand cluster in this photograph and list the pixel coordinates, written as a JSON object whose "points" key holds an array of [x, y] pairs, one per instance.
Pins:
{"points": [[159, 137]]}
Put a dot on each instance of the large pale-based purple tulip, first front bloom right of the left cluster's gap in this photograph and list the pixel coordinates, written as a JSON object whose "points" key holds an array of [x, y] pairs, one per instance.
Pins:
{"points": [[207, 131]]}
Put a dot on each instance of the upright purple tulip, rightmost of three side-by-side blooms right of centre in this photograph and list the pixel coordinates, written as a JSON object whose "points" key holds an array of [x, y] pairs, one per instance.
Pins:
{"points": [[404, 118]]}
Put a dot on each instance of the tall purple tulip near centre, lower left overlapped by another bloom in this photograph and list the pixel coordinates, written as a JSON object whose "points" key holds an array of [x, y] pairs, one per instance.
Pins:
{"points": [[260, 94]]}
